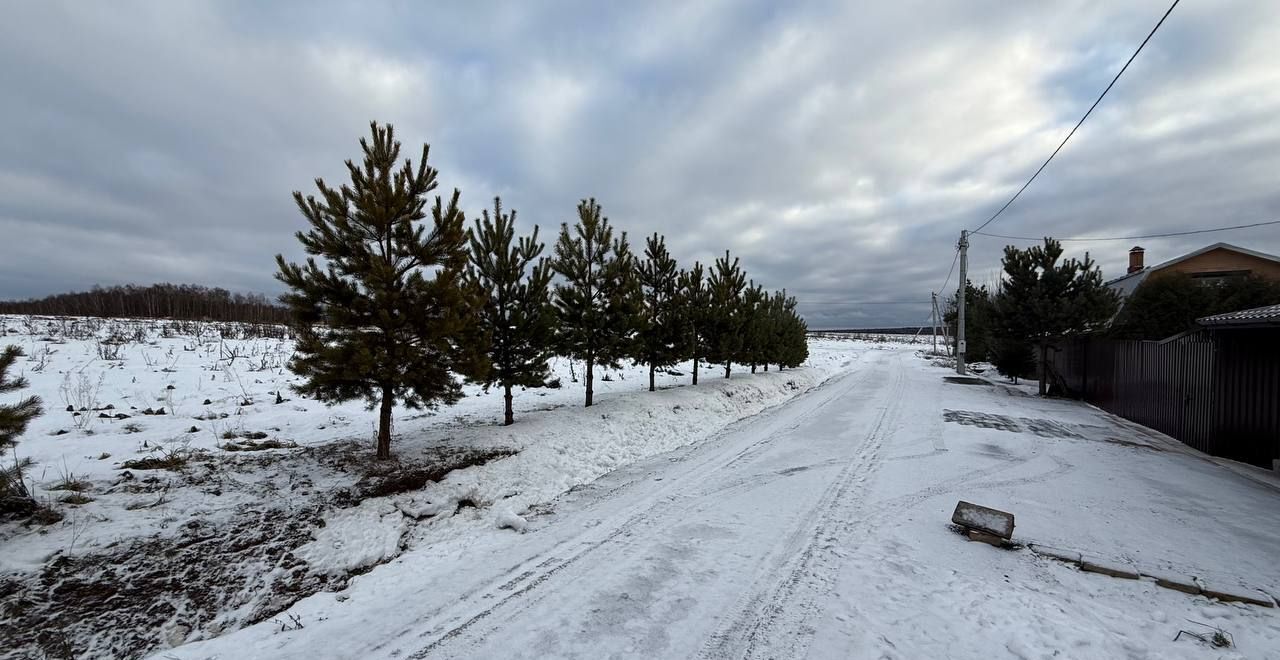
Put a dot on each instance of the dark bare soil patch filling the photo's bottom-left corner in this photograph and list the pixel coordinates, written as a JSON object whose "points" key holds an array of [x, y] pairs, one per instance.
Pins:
{"points": [[150, 594]]}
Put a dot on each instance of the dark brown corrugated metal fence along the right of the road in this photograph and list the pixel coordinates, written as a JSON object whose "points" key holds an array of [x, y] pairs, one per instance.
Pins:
{"points": [[1218, 392]]}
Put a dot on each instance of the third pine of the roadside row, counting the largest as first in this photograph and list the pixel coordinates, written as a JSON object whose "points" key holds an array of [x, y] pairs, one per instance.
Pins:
{"points": [[598, 304]]}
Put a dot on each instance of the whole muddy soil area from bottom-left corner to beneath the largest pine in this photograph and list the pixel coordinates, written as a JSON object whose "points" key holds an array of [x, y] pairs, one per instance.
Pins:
{"points": [[202, 579]]}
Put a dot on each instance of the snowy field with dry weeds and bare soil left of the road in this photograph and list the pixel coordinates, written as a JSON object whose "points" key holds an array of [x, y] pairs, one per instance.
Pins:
{"points": [[243, 497]]}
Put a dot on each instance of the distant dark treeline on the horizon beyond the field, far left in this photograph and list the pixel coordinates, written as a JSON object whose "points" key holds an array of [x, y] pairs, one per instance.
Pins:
{"points": [[189, 302]]}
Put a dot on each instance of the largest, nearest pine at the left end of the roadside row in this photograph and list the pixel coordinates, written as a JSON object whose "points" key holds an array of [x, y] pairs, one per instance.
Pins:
{"points": [[383, 318]]}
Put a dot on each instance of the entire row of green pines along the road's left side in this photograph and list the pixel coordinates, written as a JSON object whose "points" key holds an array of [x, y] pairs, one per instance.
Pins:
{"points": [[397, 306]]}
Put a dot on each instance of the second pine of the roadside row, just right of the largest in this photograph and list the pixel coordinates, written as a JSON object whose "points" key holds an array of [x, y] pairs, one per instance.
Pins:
{"points": [[516, 318]]}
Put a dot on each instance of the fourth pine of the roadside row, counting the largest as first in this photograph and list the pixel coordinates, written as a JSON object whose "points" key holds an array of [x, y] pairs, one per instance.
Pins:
{"points": [[659, 342]]}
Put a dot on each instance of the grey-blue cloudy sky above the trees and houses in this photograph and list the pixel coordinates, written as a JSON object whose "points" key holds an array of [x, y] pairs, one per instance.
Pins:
{"points": [[836, 148]]}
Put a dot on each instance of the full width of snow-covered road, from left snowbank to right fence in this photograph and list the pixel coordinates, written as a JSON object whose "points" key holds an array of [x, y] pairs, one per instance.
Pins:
{"points": [[821, 529]]}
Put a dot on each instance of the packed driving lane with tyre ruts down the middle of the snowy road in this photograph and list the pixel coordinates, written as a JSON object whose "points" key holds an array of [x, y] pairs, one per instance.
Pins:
{"points": [[720, 552]]}
